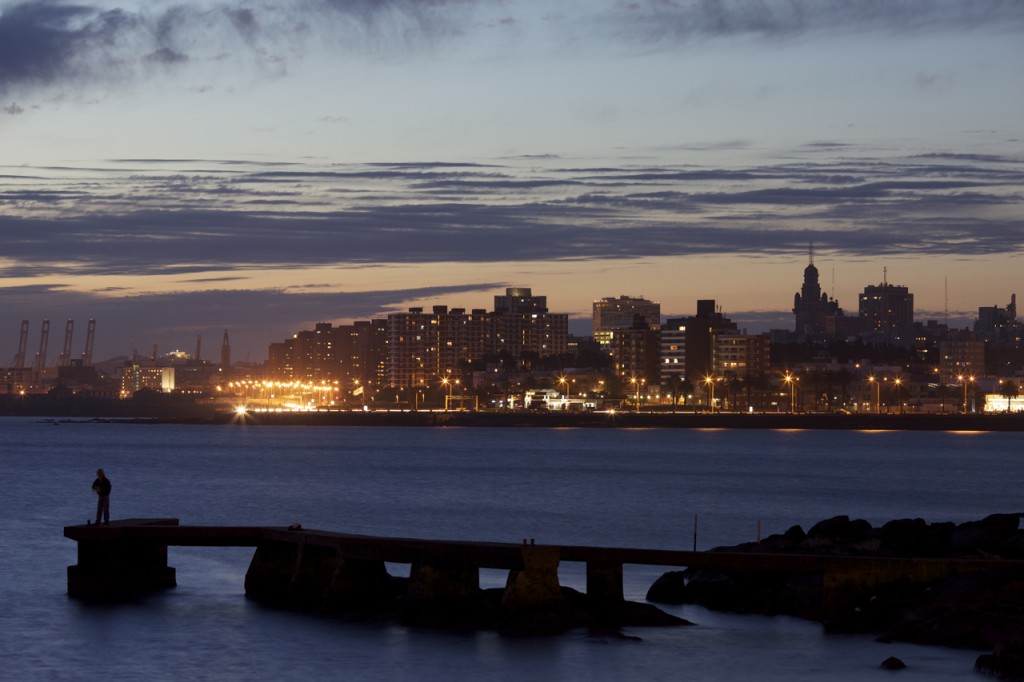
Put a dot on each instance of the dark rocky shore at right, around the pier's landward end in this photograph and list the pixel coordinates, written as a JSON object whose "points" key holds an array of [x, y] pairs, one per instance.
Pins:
{"points": [[958, 606]]}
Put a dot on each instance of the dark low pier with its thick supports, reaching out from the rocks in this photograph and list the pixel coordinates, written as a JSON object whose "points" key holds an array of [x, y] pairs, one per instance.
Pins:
{"points": [[130, 558]]}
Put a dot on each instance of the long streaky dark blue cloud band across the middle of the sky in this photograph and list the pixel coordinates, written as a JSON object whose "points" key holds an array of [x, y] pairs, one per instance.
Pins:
{"points": [[225, 212]]}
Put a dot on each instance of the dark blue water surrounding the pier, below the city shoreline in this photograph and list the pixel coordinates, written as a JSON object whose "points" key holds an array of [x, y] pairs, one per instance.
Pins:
{"points": [[622, 488]]}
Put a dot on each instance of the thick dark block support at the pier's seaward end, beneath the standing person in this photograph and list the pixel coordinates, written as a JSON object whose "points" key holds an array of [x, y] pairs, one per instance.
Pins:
{"points": [[112, 568]]}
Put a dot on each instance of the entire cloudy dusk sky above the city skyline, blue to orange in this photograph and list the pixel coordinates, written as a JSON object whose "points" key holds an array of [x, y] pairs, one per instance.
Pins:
{"points": [[176, 169]]}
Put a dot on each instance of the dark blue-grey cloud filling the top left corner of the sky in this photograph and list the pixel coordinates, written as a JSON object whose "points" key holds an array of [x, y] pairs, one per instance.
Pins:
{"points": [[56, 44]]}
